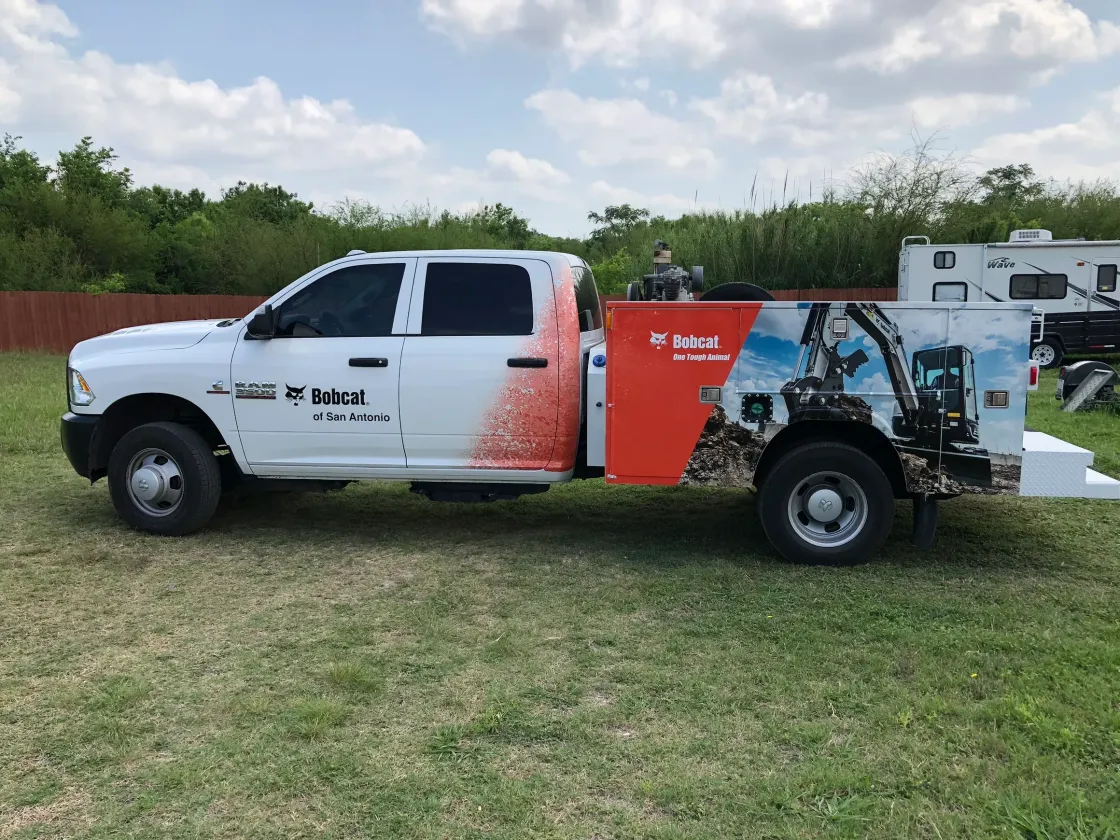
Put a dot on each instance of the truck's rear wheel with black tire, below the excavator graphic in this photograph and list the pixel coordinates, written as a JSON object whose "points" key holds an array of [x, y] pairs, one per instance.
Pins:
{"points": [[833, 474]]}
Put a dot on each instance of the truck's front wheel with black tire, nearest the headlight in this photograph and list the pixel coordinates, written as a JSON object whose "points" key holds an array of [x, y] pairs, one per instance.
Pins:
{"points": [[165, 480]]}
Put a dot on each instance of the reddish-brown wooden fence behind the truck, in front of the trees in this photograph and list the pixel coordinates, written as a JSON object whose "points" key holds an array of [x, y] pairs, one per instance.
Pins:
{"points": [[57, 321]]}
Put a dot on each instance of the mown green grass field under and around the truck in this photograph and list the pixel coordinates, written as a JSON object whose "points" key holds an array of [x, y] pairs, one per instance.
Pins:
{"points": [[590, 664]]}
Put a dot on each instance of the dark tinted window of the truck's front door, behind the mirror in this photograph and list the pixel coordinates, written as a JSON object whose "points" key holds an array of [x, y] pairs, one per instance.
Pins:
{"points": [[352, 302]]}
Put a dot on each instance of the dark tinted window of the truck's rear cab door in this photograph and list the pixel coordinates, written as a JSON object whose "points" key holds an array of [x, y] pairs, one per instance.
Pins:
{"points": [[478, 298]]}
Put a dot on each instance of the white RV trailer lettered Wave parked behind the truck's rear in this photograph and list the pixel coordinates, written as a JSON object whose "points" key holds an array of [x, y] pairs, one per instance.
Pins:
{"points": [[1074, 282]]}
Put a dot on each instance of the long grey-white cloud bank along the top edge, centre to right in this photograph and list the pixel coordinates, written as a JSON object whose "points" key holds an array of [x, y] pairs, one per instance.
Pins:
{"points": [[886, 36]]}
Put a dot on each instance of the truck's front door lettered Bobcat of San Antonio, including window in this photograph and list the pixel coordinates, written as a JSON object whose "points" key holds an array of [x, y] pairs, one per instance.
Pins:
{"points": [[321, 397]]}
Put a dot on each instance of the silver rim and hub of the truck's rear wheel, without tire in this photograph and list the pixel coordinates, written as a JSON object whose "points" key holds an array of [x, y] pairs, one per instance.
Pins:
{"points": [[828, 510]]}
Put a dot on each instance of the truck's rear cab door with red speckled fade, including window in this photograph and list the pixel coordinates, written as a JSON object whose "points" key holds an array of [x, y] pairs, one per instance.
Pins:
{"points": [[480, 366]]}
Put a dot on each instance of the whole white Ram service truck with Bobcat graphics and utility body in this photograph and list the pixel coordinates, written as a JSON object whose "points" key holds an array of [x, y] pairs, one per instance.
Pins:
{"points": [[484, 376]]}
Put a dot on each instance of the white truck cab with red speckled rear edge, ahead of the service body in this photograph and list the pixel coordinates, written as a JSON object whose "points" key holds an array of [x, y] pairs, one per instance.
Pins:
{"points": [[428, 367]]}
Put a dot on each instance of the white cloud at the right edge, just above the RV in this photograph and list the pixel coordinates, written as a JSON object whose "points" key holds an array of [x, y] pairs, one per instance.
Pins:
{"points": [[1086, 150]]}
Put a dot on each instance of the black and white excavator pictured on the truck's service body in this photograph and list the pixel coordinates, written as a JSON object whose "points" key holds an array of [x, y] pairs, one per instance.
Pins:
{"points": [[936, 416]]}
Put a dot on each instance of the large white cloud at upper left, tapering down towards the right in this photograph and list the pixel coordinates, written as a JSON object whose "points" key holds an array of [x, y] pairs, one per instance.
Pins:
{"points": [[160, 118]]}
